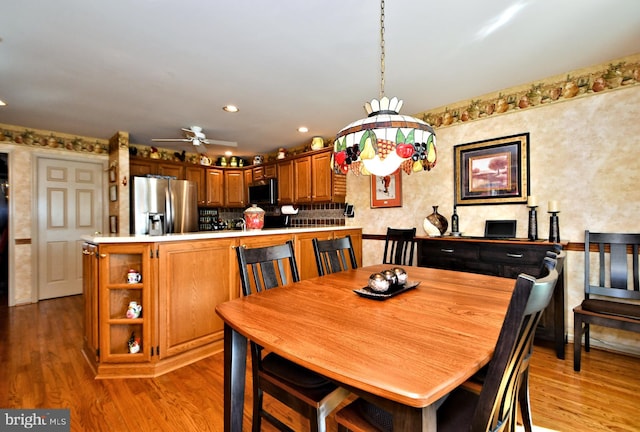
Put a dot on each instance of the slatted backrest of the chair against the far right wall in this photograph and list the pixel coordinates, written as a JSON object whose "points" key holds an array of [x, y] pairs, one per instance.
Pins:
{"points": [[614, 271]]}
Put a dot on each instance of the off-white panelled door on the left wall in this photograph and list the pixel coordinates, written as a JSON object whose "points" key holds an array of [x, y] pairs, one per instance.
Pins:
{"points": [[69, 205]]}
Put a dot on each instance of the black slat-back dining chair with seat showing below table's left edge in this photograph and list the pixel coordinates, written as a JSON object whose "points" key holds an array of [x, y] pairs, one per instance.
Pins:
{"points": [[304, 391]]}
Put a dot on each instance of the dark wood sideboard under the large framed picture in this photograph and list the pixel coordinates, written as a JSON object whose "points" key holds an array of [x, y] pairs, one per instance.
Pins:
{"points": [[506, 258]]}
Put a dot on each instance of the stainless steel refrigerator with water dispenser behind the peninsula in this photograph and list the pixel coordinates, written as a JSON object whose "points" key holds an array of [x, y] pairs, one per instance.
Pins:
{"points": [[163, 205]]}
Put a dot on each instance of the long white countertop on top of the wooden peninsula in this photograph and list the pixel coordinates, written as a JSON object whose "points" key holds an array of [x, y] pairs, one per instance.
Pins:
{"points": [[203, 235]]}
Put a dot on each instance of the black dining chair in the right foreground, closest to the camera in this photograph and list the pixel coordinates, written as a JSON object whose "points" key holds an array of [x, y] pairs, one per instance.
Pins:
{"points": [[493, 407]]}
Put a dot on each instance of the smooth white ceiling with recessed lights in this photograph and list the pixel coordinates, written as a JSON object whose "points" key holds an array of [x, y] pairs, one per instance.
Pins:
{"points": [[150, 67]]}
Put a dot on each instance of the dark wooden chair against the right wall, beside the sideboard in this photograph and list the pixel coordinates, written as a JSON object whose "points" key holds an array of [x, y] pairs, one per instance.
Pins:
{"points": [[608, 296]]}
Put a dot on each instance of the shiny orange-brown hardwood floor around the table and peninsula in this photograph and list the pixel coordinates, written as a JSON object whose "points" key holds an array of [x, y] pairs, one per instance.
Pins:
{"points": [[41, 367]]}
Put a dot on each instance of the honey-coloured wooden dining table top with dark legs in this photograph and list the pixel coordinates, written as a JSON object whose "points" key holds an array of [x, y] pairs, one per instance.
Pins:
{"points": [[406, 351]]}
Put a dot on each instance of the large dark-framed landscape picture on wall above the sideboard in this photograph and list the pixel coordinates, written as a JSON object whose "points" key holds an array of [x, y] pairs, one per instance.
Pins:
{"points": [[493, 171]]}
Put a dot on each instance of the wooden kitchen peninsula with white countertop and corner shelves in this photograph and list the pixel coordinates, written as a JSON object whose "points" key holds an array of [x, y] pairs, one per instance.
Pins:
{"points": [[183, 277]]}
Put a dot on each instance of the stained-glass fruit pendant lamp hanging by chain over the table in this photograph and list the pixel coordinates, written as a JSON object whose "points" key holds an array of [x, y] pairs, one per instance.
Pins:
{"points": [[385, 140]]}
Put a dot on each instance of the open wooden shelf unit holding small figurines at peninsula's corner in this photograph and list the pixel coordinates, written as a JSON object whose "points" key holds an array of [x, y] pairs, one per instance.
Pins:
{"points": [[115, 294]]}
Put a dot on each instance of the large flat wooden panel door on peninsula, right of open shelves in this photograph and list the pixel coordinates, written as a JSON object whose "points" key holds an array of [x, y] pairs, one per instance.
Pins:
{"points": [[186, 305]]}
